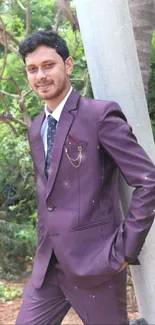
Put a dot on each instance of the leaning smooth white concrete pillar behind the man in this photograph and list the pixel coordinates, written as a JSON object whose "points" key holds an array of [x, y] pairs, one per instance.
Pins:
{"points": [[113, 64]]}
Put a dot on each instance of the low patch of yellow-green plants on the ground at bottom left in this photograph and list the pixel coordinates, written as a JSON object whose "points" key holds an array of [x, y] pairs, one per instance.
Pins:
{"points": [[9, 293]]}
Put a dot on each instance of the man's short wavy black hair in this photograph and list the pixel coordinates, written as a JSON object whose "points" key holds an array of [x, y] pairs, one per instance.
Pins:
{"points": [[47, 38]]}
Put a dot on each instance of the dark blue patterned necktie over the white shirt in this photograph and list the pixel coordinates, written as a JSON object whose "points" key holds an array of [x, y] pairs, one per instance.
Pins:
{"points": [[50, 139]]}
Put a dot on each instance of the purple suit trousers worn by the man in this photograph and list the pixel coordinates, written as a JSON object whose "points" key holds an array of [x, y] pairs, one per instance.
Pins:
{"points": [[101, 305]]}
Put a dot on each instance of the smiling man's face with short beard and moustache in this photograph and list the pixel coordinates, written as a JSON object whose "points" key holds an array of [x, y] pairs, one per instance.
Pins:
{"points": [[47, 73]]}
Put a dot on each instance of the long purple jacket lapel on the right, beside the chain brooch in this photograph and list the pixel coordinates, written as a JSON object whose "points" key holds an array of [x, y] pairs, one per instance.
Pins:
{"points": [[64, 125]]}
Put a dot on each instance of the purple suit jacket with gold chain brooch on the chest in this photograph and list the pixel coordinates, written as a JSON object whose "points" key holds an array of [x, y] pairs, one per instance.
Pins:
{"points": [[79, 213]]}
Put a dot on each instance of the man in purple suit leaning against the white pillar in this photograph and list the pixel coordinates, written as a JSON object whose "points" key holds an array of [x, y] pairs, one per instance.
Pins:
{"points": [[79, 146]]}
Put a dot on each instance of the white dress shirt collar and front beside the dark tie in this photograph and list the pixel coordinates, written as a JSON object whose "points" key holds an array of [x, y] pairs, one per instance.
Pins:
{"points": [[56, 114]]}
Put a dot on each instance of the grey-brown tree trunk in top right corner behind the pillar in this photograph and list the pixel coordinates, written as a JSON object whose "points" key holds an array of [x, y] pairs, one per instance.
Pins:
{"points": [[142, 14]]}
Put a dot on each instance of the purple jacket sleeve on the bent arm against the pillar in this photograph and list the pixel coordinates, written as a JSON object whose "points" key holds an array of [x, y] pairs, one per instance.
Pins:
{"points": [[120, 143]]}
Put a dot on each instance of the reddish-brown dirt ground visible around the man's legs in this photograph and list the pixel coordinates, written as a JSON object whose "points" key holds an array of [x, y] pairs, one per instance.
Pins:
{"points": [[9, 309]]}
